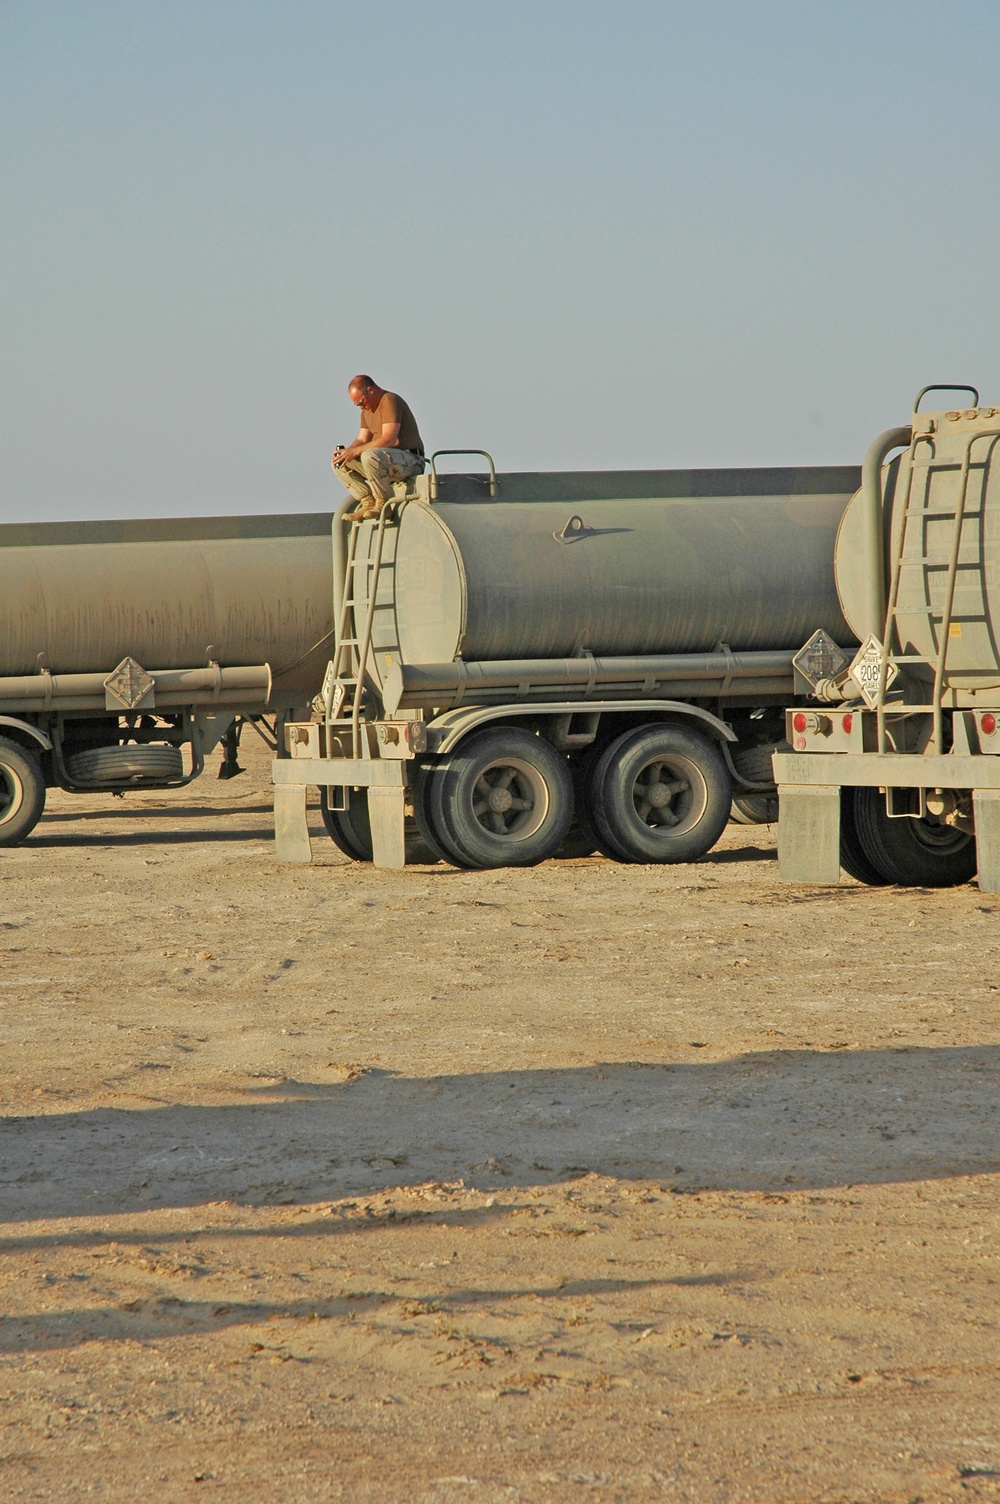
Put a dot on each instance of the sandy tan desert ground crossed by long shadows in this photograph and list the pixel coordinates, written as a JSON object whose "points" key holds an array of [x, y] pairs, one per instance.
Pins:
{"points": [[584, 1183]]}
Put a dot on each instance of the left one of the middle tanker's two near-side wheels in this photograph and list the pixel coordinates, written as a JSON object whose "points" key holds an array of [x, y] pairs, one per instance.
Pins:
{"points": [[506, 799]]}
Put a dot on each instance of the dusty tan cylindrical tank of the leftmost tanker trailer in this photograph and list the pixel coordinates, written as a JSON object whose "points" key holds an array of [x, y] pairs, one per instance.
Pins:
{"points": [[79, 598]]}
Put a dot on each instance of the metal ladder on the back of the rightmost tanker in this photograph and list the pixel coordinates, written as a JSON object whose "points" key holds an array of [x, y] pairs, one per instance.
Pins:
{"points": [[909, 559]]}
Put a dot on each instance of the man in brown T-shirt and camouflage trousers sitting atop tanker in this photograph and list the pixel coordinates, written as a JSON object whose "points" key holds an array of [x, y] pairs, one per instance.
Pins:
{"points": [[389, 449]]}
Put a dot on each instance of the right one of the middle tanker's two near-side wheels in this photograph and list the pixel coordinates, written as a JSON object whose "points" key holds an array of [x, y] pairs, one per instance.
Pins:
{"points": [[662, 793]]}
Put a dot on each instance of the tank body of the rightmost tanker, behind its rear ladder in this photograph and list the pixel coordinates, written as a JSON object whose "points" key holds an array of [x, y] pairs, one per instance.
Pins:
{"points": [[950, 468]]}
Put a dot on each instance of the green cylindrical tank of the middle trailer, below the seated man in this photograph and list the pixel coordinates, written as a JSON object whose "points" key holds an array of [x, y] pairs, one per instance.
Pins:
{"points": [[617, 565]]}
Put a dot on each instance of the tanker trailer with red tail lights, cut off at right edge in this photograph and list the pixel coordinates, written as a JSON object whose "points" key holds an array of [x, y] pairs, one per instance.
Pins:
{"points": [[892, 771]]}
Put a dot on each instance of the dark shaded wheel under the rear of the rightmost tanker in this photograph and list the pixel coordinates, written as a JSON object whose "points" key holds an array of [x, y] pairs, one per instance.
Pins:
{"points": [[915, 854]]}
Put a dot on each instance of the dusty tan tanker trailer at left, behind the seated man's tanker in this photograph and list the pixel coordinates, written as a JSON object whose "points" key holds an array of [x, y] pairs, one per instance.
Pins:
{"points": [[130, 650]]}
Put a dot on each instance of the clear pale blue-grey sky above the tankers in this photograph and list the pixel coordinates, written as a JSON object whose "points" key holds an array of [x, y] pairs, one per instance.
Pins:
{"points": [[580, 235]]}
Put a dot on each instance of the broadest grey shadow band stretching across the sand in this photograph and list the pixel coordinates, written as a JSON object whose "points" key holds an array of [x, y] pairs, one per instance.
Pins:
{"points": [[769, 1121]]}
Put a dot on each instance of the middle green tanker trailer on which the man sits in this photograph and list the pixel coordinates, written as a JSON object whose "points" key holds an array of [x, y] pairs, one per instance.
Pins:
{"points": [[539, 664]]}
